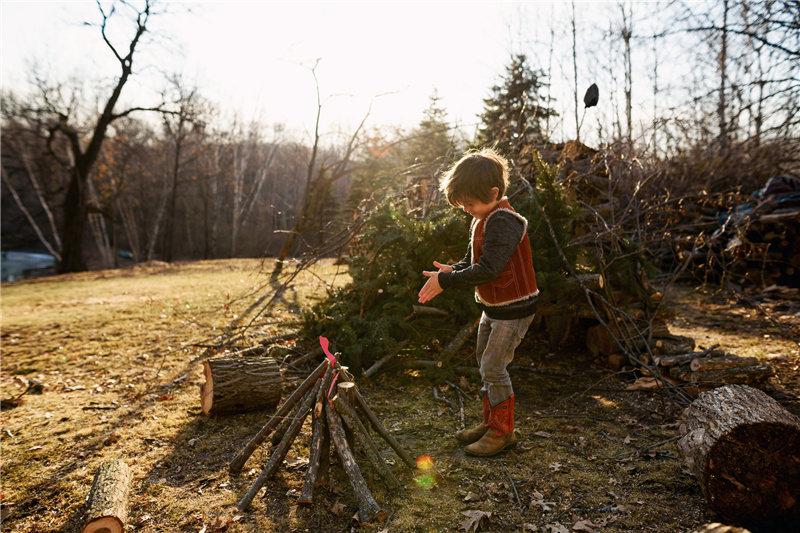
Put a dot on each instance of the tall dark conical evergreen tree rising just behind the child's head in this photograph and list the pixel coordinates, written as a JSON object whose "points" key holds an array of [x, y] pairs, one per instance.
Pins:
{"points": [[514, 113]]}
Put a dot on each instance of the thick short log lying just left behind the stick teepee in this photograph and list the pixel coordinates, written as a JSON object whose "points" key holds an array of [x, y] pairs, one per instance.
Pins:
{"points": [[240, 385]]}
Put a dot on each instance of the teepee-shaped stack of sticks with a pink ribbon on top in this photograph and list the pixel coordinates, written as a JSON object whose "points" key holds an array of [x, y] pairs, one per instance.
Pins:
{"points": [[340, 417]]}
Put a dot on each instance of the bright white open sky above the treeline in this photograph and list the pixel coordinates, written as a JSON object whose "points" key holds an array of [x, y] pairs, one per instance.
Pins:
{"points": [[255, 57]]}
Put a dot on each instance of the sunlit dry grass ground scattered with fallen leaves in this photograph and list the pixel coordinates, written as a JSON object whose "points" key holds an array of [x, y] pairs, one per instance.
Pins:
{"points": [[118, 355]]}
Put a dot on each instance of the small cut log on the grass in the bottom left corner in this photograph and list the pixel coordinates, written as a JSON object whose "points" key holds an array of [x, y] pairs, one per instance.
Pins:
{"points": [[108, 499]]}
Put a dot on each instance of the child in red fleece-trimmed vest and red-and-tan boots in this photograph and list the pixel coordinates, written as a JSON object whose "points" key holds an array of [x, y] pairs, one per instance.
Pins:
{"points": [[498, 265]]}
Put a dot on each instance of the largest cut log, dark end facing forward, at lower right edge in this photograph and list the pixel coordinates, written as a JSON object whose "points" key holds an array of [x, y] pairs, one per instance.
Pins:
{"points": [[744, 449]]}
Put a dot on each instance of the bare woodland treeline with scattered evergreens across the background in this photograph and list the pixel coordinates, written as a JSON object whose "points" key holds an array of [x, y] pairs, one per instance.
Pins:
{"points": [[99, 183]]}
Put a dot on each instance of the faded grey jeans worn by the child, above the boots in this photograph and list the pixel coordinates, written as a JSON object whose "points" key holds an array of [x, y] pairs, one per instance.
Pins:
{"points": [[497, 340]]}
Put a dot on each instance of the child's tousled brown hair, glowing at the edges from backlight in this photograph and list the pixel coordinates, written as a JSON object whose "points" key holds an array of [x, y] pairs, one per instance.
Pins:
{"points": [[473, 177]]}
